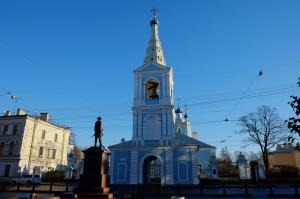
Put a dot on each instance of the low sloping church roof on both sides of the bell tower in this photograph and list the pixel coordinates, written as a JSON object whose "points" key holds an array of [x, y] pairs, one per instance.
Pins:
{"points": [[180, 140]]}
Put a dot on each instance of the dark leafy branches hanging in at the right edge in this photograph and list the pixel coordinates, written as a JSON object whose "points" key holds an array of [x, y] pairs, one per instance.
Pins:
{"points": [[294, 122]]}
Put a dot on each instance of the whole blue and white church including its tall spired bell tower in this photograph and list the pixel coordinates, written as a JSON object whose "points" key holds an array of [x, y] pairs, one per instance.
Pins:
{"points": [[162, 149]]}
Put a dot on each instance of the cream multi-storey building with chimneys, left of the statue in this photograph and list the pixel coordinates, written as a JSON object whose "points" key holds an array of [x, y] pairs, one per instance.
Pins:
{"points": [[31, 144]]}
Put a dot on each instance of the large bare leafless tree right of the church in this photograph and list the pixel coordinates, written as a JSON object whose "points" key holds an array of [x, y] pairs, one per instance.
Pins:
{"points": [[265, 129]]}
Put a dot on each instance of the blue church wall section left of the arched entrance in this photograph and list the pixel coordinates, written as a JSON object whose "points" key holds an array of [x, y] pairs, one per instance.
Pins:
{"points": [[122, 167]]}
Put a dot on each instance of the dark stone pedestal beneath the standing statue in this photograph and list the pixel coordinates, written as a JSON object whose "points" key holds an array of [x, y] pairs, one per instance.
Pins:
{"points": [[94, 179]]}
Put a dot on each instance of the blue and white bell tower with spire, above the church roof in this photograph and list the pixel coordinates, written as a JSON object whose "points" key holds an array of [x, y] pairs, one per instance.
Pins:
{"points": [[153, 107]]}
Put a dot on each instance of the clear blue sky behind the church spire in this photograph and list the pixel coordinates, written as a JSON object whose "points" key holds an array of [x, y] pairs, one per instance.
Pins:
{"points": [[74, 59]]}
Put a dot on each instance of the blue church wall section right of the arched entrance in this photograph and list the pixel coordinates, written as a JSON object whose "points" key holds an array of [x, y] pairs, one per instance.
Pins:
{"points": [[182, 166]]}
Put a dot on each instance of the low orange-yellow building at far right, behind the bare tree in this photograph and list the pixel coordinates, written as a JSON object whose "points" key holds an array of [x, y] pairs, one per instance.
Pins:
{"points": [[284, 154]]}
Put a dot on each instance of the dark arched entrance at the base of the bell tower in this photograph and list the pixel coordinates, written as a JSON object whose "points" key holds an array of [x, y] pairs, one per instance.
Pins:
{"points": [[151, 170]]}
